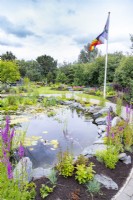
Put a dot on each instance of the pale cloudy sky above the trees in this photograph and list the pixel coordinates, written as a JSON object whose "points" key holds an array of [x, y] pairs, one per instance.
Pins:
{"points": [[61, 28]]}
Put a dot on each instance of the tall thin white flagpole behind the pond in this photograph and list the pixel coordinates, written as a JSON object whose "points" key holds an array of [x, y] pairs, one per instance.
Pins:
{"points": [[106, 63]]}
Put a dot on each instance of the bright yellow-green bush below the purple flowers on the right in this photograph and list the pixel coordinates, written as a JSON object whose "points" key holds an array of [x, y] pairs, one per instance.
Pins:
{"points": [[109, 157]]}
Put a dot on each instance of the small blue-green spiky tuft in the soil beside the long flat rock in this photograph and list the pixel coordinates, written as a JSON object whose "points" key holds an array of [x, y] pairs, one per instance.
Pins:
{"points": [[93, 186]]}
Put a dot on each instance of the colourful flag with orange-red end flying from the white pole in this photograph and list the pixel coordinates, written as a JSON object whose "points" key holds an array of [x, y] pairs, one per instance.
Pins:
{"points": [[100, 39]]}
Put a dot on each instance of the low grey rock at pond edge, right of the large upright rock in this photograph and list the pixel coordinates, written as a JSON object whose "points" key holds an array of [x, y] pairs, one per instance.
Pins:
{"points": [[40, 172]]}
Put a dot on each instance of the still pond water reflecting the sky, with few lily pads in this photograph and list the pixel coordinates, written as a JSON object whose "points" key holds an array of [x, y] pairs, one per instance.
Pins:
{"points": [[45, 136]]}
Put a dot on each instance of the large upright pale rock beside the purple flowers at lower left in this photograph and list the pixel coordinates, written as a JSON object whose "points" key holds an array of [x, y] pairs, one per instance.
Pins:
{"points": [[23, 169]]}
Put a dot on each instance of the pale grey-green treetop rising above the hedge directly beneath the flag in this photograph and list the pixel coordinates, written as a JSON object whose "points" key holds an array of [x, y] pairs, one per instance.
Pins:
{"points": [[86, 56]]}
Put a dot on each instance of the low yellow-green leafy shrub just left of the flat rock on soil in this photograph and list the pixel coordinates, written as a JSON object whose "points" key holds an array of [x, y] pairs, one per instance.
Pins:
{"points": [[84, 174]]}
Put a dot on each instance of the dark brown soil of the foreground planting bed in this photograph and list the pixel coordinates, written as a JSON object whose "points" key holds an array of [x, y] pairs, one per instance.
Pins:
{"points": [[70, 189]]}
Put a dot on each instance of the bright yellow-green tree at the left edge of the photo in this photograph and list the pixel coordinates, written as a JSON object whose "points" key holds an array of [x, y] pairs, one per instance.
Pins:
{"points": [[9, 72]]}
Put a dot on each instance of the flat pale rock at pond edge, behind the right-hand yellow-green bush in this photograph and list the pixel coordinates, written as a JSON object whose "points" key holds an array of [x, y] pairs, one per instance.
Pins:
{"points": [[91, 150]]}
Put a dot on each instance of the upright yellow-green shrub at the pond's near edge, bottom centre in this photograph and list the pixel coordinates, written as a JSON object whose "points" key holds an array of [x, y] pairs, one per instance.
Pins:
{"points": [[65, 164]]}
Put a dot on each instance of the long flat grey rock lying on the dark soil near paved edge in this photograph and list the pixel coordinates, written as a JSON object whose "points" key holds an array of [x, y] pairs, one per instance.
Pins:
{"points": [[106, 181]]}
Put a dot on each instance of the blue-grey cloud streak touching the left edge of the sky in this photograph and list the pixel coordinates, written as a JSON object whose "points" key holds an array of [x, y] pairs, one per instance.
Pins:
{"points": [[9, 27]]}
